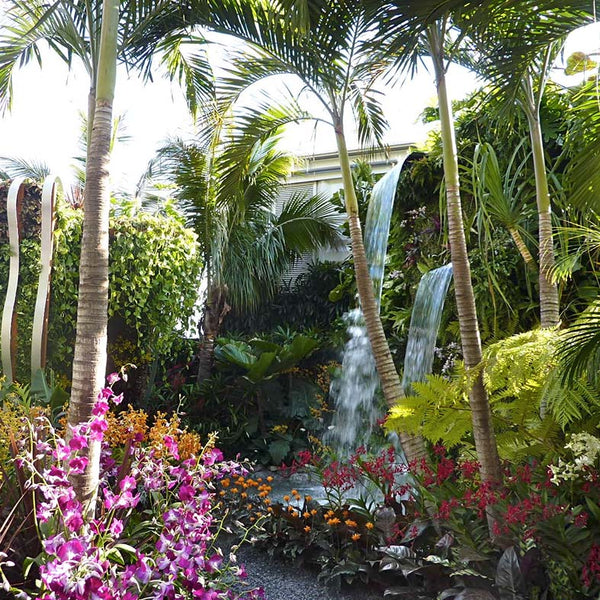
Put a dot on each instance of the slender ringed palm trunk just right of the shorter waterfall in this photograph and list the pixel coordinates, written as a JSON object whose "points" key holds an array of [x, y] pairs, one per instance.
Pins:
{"points": [[483, 430]]}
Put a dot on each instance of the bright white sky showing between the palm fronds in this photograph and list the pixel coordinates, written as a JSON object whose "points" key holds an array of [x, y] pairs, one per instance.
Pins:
{"points": [[44, 123]]}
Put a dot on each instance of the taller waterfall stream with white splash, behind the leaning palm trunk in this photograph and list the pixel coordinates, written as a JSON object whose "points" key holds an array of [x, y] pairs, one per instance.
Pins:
{"points": [[354, 389]]}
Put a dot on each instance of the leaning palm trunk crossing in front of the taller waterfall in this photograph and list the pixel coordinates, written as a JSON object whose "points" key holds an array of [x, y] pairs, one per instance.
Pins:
{"points": [[413, 446]]}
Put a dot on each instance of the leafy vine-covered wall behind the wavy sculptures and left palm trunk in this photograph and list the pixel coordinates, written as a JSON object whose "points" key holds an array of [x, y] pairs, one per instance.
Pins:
{"points": [[154, 269]]}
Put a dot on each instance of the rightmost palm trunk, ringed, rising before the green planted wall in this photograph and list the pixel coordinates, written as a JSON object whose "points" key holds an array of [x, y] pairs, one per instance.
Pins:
{"points": [[549, 304]]}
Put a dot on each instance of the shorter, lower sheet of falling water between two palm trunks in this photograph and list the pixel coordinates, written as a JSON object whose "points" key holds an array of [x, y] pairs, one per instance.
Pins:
{"points": [[424, 324]]}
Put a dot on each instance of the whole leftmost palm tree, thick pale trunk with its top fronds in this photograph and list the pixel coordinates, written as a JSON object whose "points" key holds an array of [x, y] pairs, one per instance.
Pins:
{"points": [[96, 32]]}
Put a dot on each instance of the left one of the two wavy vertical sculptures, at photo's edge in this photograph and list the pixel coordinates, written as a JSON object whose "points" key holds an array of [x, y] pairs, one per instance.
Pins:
{"points": [[9, 318]]}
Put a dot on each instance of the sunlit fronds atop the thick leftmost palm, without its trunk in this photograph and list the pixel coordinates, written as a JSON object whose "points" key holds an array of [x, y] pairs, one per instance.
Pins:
{"points": [[71, 30]]}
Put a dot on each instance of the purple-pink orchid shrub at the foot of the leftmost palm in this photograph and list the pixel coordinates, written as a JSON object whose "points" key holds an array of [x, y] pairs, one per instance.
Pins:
{"points": [[152, 534]]}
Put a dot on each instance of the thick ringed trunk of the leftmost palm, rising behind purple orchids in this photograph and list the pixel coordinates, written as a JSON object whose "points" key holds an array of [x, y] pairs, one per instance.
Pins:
{"points": [[89, 364]]}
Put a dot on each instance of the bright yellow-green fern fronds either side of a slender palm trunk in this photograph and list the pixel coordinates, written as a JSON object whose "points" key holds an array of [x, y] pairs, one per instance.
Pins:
{"points": [[529, 413]]}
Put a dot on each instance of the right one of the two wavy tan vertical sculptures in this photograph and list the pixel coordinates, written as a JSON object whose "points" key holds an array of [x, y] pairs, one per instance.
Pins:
{"points": [[39, 334]]}
